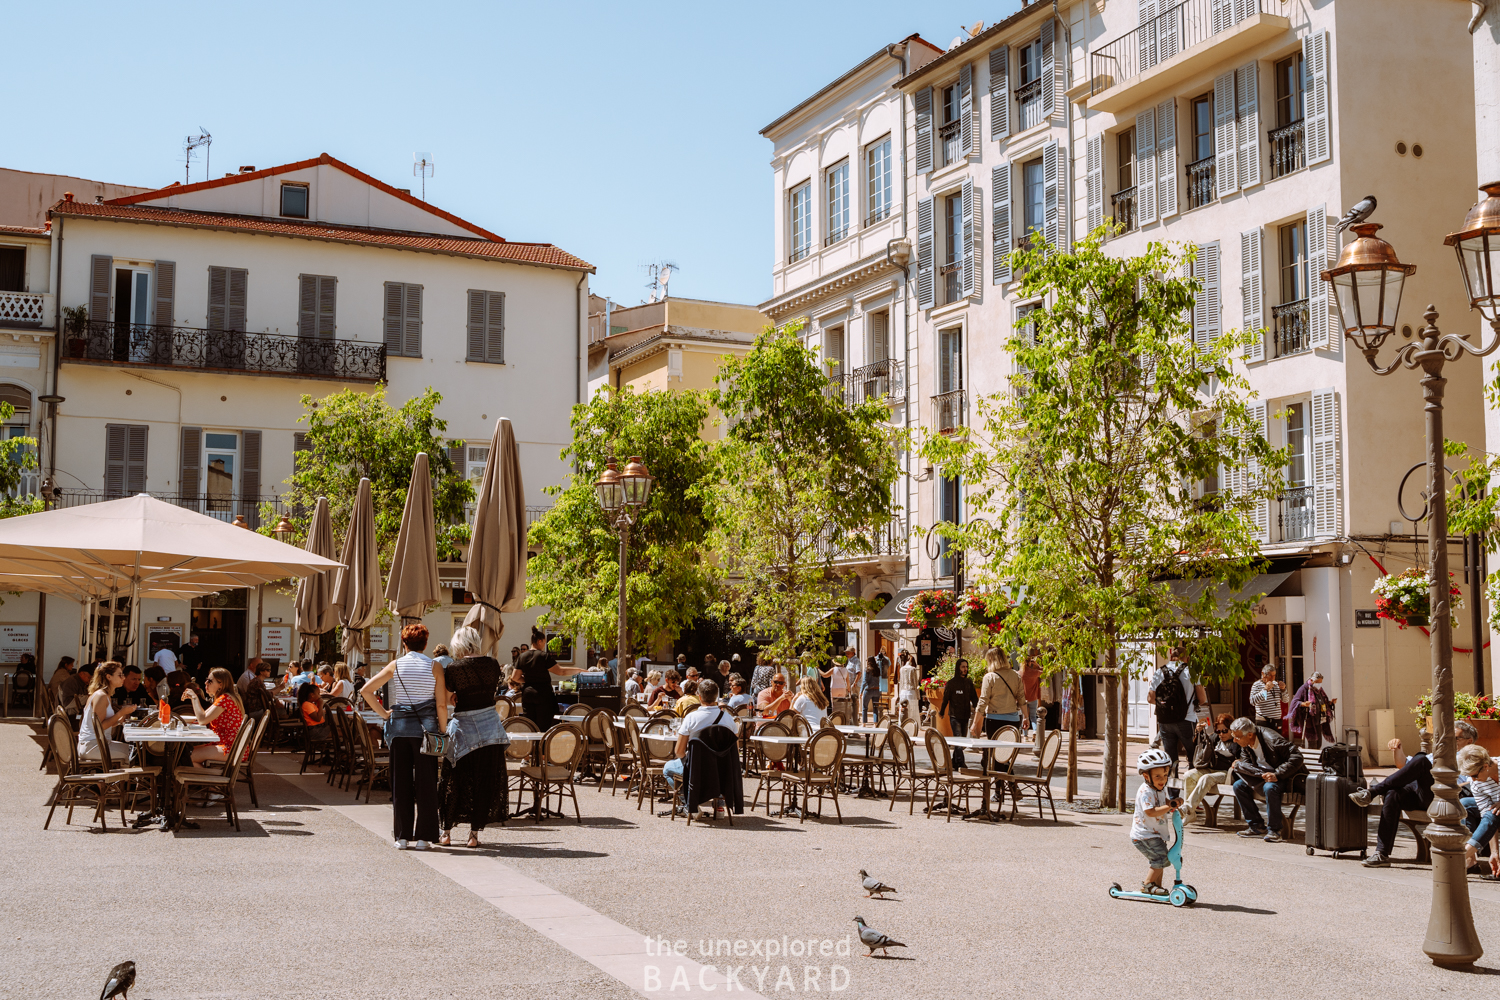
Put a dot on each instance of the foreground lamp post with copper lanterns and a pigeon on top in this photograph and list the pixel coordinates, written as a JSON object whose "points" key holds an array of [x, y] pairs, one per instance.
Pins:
{"points": [[1367, 290]]}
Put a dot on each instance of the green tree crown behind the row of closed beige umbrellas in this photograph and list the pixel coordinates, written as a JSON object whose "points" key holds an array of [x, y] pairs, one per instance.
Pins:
{"points": [[356, 436]]}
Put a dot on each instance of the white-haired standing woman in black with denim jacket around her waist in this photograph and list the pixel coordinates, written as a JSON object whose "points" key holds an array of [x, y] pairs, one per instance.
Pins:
{"points": [[472, 777]]}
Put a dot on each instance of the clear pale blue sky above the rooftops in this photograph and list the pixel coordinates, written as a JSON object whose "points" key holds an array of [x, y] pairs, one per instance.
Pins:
{"points": [[620, 133]]}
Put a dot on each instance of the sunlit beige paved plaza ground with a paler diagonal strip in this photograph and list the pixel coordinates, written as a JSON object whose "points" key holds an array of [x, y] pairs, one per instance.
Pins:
{"points": [[310, 900]]}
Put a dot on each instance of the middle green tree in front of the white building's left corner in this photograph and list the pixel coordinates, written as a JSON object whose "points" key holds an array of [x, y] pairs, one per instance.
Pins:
{"points": [[806, 476]]}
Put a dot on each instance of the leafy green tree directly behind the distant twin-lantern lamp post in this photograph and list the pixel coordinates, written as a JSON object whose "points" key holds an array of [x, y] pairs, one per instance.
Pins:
{"points": [[670, 578]]}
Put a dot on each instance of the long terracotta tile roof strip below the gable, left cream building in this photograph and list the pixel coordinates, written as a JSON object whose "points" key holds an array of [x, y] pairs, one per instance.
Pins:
{"points": [[544, 254]]}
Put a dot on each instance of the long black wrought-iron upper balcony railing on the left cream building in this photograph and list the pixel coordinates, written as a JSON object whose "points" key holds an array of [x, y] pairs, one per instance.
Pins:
{"points": [[230, 352]]}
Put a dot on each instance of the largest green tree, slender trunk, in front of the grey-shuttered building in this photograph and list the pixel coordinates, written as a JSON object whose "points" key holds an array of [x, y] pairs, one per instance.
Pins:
{"points": [[1094, 487]]}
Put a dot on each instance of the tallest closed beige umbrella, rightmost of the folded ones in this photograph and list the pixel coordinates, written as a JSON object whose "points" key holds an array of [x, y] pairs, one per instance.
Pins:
{"points": [[497, 575]]}
